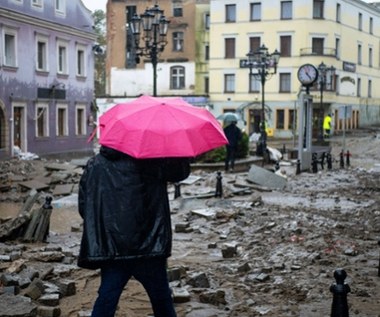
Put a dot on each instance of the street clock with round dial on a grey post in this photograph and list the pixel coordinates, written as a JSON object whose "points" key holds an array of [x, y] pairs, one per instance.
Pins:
{"points": [[307, 75]]}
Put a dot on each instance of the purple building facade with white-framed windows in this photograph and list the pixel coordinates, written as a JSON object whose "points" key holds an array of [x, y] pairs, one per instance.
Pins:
{"points": [[46, 76]]}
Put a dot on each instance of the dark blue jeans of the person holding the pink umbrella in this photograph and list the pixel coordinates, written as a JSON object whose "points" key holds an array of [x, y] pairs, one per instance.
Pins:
{"points": [[151, 273]]}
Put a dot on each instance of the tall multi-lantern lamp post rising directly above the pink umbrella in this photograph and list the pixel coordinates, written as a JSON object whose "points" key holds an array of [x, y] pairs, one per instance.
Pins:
{"points": [[155, 28]]}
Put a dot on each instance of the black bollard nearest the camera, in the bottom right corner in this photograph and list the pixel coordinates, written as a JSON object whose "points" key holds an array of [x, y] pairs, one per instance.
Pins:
{"points": [[340, 290]]}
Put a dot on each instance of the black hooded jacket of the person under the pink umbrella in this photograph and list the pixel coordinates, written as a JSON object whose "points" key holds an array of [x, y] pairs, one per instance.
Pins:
{"points": [[125, 208]]}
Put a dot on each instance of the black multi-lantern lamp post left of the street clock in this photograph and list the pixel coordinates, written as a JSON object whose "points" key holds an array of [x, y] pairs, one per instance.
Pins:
{"points": [[265, 64]]}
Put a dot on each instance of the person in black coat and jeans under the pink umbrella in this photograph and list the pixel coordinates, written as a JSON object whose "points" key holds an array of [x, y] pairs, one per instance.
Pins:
{"points": [[127, 227]]}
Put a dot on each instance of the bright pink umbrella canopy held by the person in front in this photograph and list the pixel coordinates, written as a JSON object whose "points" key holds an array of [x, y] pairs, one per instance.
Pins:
{"points": [[150, 127]]}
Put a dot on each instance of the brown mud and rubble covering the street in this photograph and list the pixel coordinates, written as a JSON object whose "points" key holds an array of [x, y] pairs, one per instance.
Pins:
{"points": [[256, 251]]}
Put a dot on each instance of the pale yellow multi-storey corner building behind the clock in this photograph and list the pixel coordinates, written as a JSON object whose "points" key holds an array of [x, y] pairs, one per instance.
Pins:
{"points": [[342, 34]]}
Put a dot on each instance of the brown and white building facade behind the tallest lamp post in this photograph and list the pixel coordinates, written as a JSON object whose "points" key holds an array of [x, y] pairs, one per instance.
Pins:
{"points": [[177, 69]]}
